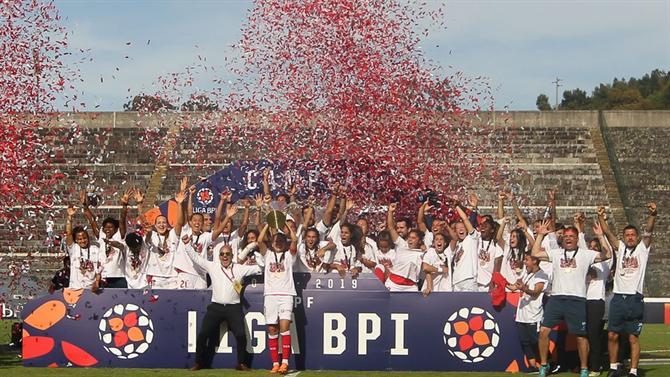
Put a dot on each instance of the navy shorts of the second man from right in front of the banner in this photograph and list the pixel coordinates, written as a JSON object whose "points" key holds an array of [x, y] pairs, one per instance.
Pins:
{"points": [[570, 309]]}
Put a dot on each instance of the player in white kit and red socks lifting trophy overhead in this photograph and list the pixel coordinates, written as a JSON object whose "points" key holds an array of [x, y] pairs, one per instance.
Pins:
{"points": [[279, 293]]}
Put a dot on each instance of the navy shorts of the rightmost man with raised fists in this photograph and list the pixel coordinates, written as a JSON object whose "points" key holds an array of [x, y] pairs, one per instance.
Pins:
{"points": [[626, 314]]}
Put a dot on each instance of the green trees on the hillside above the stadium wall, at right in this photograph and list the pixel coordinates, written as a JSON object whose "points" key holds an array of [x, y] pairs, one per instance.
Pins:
{"points": [[651, 92]]}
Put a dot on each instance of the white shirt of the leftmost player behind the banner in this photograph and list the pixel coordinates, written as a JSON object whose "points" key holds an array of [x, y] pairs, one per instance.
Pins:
{"points": [[91, 259]]}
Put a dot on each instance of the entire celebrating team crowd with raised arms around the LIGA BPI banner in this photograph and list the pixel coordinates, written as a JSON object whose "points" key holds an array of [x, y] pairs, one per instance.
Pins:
{"points": [[561, 275]]}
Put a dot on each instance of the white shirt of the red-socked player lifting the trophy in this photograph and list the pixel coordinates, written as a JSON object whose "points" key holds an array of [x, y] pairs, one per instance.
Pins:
{"points": [[279, 273]]}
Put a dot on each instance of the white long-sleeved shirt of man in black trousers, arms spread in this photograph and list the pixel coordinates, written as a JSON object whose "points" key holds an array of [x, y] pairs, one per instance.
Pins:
{"points": [[223, 279]]}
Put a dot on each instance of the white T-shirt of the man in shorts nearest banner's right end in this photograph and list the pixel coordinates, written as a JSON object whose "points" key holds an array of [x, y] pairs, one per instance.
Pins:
{"points": [[570, 274]]}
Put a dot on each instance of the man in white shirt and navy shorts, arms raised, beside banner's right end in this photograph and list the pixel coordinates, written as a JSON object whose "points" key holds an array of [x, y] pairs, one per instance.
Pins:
{"points": [[568, 300]]}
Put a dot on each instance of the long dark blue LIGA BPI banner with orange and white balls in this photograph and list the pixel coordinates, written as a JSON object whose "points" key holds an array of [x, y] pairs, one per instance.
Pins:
{"points": [[340, 324]]}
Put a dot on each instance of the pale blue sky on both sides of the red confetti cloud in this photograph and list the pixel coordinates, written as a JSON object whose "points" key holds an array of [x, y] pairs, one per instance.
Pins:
{"points": [[519, 46]]}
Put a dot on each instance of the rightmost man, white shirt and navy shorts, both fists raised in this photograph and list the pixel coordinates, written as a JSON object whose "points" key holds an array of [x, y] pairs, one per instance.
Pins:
{"points": [[627, 306]]}
